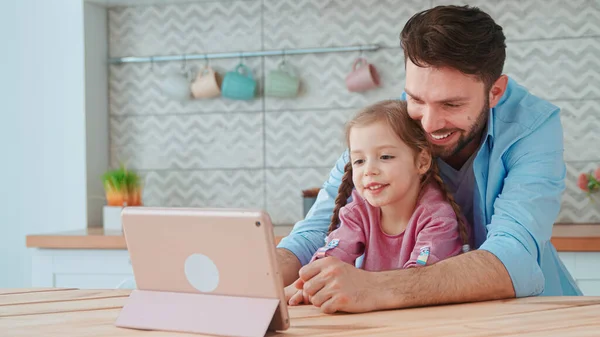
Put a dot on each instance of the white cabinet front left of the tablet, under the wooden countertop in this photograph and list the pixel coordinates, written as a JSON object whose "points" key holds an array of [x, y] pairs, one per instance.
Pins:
{"points": [[82, 268]]}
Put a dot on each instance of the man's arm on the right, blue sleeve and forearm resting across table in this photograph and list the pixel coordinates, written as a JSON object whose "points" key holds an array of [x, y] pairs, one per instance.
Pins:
{"points": [[506, 265]]}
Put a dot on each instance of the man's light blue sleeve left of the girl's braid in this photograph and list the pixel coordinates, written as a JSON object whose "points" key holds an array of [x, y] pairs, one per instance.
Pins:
{"points": [[309, 234]]}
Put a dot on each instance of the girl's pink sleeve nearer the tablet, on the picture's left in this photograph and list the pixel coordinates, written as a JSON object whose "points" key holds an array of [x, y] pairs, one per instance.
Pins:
{"points": [[347, 242]]}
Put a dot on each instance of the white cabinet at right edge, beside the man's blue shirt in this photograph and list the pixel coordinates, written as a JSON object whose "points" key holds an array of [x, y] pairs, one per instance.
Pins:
{"points": [[585, 269]]}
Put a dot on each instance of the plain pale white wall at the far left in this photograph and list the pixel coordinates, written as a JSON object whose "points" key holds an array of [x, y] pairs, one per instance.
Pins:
{"points": [[42, 159]]}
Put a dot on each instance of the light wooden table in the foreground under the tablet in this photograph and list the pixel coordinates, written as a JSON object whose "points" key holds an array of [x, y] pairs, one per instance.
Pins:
{"points": [[82, 313]]}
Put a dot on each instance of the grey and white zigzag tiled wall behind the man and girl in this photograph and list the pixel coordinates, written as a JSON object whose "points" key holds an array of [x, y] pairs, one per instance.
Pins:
{"points": [[262, 153]]}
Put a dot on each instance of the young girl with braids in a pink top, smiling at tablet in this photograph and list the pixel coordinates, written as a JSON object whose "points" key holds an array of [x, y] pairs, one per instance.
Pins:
{"points": [[401, 215]]}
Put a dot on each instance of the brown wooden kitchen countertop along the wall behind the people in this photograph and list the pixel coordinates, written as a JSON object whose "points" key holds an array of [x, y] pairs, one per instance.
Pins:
{"points": [[566, 237]]}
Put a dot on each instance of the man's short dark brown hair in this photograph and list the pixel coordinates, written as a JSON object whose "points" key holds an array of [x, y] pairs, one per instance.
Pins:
{"points": [[460, 37]]}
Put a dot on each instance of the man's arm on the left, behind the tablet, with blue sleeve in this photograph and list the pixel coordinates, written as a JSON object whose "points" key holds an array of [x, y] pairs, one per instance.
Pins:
{"points": [[296, 249]]}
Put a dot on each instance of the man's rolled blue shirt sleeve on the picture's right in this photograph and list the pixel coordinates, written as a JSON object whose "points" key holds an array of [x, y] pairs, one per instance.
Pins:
{"points": [[528, 205]]}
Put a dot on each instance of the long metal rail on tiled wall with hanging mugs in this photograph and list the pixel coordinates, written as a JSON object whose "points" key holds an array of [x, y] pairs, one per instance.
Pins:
{"points": [[283, 52]]}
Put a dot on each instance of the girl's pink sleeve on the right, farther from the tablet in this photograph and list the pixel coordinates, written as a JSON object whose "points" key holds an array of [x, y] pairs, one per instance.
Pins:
{"points": [[437, 240]]}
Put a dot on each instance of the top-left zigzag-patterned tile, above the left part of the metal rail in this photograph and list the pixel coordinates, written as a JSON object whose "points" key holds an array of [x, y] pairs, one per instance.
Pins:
{"points": [[218, 26]]}
